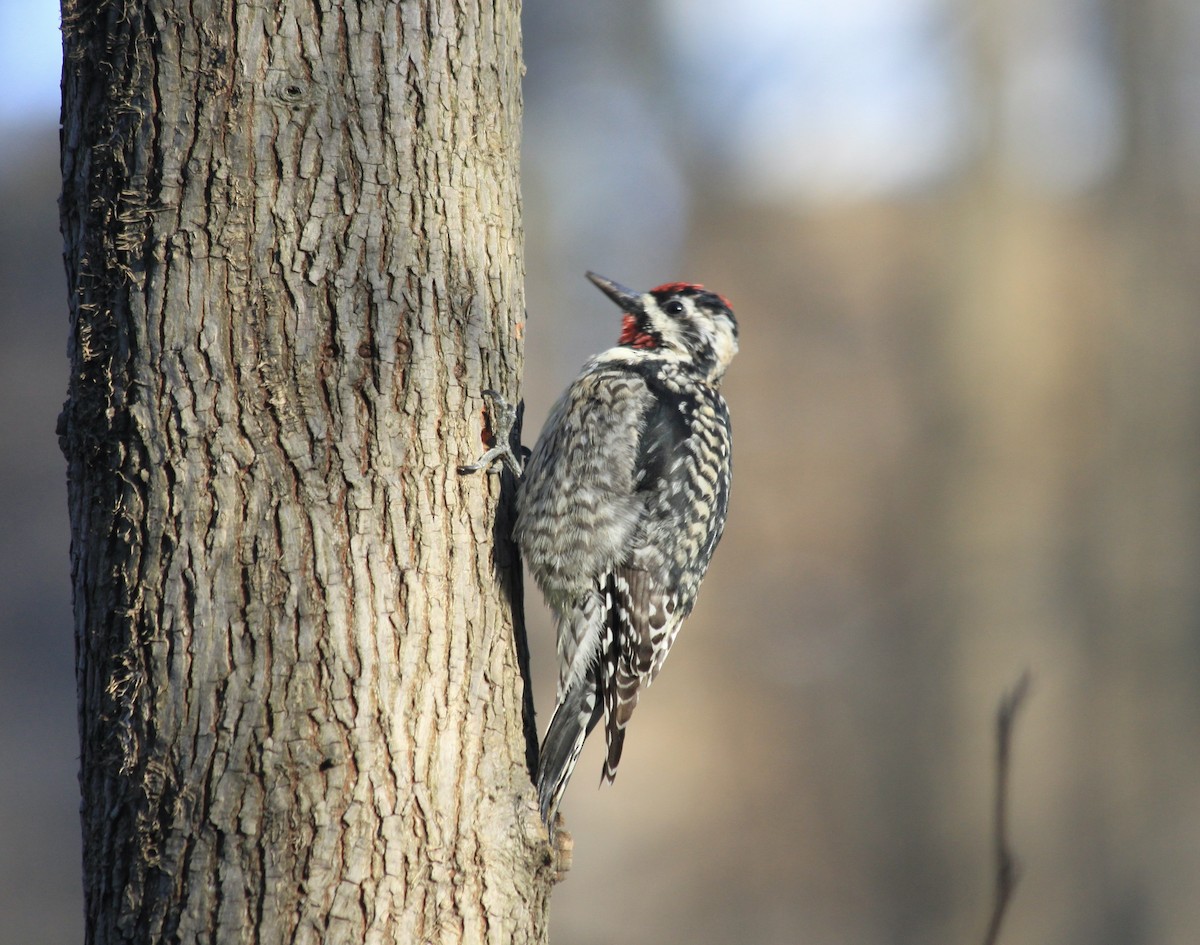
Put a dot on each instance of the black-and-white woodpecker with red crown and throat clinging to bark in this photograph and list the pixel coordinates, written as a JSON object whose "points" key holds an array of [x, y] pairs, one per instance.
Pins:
{"points": [[622, 504]]}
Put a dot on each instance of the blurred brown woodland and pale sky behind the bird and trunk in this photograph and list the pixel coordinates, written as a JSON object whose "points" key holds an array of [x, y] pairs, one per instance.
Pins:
{"points": [[963, 240]]}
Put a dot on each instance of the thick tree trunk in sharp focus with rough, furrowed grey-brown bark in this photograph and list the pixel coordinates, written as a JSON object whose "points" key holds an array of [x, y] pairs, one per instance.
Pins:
{"points": [[295, 258]]}
